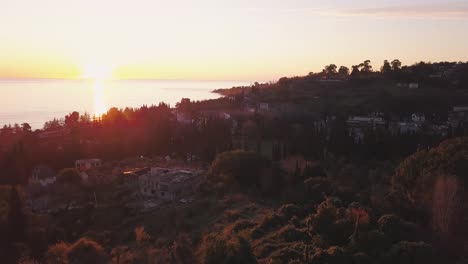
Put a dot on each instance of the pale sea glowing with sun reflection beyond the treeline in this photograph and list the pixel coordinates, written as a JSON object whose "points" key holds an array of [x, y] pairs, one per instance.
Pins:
{"points": [[36, 101]]}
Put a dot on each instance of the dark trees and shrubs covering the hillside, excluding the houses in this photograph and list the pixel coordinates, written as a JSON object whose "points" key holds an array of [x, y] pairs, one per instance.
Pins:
{"points": [[320, 197]]}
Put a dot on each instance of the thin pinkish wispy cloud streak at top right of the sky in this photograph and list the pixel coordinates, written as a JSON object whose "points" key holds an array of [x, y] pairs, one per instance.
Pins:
{"points": [[458, 10]]}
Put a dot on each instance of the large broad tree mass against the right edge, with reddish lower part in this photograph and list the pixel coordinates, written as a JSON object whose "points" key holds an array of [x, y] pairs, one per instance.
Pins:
{"points": [[435, 180]]}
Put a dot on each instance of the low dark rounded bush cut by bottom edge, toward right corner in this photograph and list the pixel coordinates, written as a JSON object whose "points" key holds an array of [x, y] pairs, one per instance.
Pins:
{"points": [[411, 253]]}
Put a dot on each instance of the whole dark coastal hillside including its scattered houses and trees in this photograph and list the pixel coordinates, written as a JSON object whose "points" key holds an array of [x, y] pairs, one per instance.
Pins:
{"points": [[281, 166]]}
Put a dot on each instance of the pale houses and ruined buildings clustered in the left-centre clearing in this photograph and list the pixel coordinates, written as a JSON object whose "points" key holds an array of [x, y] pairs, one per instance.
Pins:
{"points": [[165, 184]]}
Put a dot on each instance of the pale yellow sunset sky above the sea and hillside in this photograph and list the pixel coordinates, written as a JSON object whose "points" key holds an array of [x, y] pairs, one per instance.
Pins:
{"points": [[222, 39]]}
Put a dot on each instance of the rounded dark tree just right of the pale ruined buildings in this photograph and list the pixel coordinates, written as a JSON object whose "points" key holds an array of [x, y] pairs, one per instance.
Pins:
{"points": [[240, 167]]}
